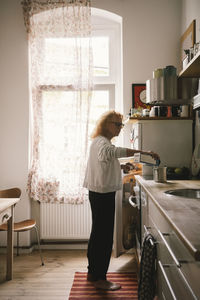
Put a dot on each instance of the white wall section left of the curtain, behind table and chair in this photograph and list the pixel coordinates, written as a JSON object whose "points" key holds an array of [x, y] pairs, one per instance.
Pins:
{"points": [[14, 105]]}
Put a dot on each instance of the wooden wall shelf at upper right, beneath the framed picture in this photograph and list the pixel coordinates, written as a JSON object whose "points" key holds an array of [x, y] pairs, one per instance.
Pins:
{"points": [[193, 68]]}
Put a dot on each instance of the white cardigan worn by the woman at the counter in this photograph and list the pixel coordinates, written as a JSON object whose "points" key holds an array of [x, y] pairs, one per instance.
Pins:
{"points": [[103, 172]]}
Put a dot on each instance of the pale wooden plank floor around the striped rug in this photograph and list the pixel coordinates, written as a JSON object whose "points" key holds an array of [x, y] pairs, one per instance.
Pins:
{"points": [[31, 281]]}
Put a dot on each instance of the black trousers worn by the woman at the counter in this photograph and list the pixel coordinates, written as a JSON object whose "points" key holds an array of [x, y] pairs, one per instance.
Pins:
{"points": [[101, 237]]}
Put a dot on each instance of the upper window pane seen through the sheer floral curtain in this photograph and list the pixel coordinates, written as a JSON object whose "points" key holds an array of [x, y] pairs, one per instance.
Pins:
{"points": [[63, 59]]}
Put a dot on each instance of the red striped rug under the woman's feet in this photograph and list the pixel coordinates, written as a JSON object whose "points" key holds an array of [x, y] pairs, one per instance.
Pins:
{"points": [[84, 290]]}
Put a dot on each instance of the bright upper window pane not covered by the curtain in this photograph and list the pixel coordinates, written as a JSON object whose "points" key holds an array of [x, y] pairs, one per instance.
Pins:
{"points": [[100, 47]]}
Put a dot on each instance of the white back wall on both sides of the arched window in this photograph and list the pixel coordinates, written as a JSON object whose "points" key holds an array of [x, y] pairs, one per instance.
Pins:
{"points": [[151, 33]]}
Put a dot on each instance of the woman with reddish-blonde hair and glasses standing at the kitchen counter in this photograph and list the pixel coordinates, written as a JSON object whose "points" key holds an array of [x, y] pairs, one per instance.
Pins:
{"points": [[103, 179]]}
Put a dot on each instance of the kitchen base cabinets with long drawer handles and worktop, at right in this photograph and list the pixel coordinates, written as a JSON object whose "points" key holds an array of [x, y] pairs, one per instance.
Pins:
{"points": [[178, 265]]}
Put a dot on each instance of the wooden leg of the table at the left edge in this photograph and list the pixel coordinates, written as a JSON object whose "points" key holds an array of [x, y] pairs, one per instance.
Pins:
{"points": [[10, 248]]}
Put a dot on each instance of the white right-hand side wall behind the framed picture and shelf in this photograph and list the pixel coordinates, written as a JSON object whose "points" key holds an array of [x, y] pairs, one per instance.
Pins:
{"points": [[190, 12]]}
